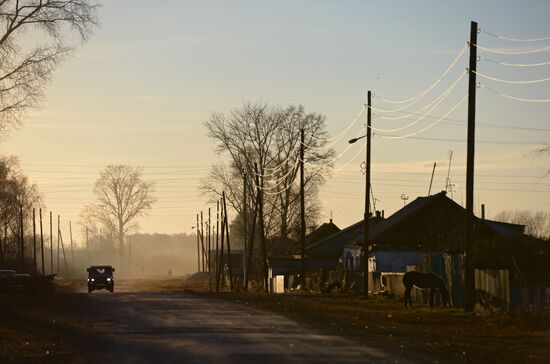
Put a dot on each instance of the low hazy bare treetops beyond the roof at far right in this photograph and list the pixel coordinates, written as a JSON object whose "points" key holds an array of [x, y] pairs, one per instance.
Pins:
{"points": [[537, 223]]}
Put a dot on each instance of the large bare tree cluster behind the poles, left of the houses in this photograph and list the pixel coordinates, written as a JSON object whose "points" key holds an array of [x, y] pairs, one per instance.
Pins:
{"points": [[270, 137]]}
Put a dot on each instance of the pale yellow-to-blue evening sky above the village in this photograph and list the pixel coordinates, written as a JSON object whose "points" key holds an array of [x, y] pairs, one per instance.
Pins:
{"points": [[140, 89]]}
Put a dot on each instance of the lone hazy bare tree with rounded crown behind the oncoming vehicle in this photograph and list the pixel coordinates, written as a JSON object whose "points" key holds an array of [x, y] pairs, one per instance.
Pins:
{"points": [[122, 197]]}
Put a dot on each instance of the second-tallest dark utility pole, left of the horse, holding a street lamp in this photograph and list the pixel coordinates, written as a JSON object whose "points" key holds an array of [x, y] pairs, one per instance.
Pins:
{"points": [[367, 202]]}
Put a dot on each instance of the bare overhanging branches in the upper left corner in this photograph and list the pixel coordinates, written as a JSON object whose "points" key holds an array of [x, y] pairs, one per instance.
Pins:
{"points": [[25, 70]]}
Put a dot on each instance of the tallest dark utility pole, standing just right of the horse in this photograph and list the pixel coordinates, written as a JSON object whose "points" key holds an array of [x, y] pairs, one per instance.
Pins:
{"points": [[469, 284]]}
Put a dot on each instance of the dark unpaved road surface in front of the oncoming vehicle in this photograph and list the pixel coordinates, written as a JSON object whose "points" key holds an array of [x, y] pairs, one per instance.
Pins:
{"points": [[163, 327]]}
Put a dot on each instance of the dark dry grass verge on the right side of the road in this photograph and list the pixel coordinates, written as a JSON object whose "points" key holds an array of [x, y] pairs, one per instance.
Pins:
{"points": [[444, 335]]}
